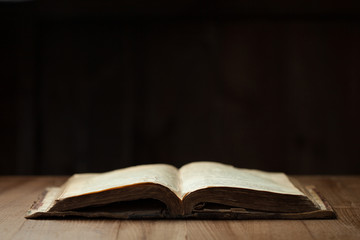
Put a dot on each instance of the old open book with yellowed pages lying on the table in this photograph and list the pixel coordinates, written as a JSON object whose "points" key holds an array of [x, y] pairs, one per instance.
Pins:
{"points": [[199, 190]]}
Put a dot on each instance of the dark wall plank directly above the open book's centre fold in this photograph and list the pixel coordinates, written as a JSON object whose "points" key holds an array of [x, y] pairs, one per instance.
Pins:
{"points": [[178, 118]]}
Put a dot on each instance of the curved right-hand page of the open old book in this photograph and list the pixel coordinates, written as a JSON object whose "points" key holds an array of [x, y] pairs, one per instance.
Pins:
{"points": [[199, 175]]}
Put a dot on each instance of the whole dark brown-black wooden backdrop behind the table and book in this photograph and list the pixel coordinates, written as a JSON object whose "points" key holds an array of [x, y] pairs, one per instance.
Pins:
{"points": [[90, 86]]}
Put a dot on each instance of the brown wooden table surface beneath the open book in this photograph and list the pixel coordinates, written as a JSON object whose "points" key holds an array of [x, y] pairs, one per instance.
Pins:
{"points": [[18, 193]]}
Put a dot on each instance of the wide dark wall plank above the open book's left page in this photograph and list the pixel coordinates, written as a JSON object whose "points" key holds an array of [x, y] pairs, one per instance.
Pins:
{"points": [[86, 97]]}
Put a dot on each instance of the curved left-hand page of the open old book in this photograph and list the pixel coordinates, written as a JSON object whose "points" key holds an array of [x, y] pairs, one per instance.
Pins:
{"points": [[81, 184]]}
